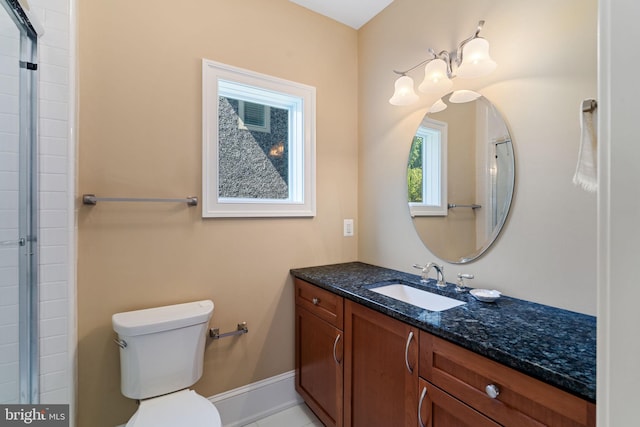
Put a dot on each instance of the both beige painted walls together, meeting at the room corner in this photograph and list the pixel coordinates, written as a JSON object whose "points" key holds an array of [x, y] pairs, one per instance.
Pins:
{"points": [[139, 135]]}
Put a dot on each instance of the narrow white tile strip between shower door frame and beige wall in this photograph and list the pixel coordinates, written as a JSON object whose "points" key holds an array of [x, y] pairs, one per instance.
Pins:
{"points": [[56, 193]]}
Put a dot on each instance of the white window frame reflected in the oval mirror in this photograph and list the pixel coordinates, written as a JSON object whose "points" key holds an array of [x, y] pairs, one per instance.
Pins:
{"points": [[434, 163]]}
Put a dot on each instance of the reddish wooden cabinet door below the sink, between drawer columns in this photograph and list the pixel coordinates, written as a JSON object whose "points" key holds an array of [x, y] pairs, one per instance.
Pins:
{"points": [[381, 371]]}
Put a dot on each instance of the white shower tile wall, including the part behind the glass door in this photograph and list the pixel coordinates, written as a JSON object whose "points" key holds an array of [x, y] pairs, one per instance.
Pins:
{"points": [[56, 207]]}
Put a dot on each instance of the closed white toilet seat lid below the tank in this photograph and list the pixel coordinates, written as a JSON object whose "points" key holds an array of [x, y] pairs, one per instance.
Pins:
{"points": [[182, 408]]}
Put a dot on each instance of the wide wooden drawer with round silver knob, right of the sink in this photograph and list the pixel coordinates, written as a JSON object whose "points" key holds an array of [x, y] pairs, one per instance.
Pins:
{"points": [[522, 400]]}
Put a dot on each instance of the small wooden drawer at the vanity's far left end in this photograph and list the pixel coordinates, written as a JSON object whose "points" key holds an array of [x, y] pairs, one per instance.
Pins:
{"points": [[324, 304]]}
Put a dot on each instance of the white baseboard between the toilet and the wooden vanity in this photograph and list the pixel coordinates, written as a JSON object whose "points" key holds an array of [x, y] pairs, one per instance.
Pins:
{"points": [[254, 401]]}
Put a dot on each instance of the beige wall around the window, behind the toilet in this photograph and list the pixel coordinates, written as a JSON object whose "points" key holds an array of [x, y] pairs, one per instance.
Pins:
{"points": [[140, 136]]}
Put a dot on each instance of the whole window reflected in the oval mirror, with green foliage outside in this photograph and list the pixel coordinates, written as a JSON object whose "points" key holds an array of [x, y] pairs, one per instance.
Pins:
{"points": [[427, 170]]}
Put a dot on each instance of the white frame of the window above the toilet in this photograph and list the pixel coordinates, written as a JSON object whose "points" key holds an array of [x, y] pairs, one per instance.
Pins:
{"points": [[300, 100]]}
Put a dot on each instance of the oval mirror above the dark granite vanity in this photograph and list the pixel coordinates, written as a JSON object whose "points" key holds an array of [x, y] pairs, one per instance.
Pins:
{"points": [[460, 176]]}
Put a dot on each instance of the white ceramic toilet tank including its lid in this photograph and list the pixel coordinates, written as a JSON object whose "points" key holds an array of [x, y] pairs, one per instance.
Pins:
{"points": [[161, 348]]}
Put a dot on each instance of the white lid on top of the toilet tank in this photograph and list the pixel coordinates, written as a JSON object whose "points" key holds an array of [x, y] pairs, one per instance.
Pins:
{"points": [[157, 319]]}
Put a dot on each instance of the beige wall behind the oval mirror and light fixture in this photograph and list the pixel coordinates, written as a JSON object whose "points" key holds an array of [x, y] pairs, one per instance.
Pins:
{"points": [[547, 57]]}
